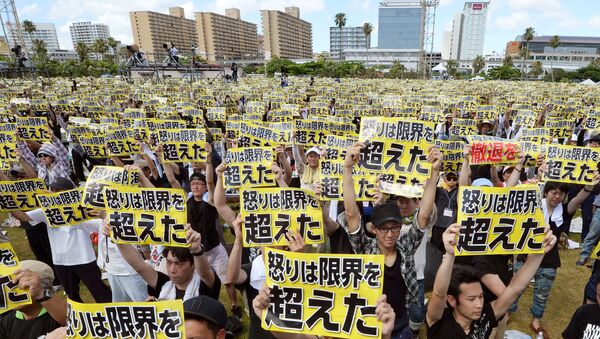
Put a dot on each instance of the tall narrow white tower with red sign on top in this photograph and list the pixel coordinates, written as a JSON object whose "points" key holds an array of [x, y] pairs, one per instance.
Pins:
{"points": [[472, 38]]}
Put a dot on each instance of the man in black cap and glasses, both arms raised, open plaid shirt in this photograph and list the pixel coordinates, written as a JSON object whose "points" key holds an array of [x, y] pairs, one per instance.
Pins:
{"points": [[400, 282]]}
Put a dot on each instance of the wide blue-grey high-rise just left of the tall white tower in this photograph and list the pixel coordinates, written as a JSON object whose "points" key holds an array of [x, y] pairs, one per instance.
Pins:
{"points": [[401, 25]]}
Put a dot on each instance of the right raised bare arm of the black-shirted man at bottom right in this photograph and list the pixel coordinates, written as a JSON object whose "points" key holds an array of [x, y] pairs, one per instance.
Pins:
{"points": [[522, 278]]}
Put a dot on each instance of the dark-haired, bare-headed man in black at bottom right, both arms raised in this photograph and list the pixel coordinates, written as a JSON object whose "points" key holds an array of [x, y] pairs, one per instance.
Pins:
{"points": [[460, 288]]}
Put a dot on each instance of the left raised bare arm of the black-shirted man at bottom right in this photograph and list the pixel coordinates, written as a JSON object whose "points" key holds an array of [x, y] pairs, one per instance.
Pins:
{"points": [[439, 295]]}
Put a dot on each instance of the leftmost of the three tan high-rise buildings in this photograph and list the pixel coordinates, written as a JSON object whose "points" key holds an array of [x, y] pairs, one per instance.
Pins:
{"points": [[151, 30]]}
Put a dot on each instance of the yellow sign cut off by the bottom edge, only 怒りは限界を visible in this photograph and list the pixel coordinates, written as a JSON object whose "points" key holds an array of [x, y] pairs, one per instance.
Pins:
{"points": [[155, 320]]}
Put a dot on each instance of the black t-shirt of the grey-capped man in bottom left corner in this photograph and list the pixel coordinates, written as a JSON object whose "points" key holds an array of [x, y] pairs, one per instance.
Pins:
{"points": [[11, 327]]}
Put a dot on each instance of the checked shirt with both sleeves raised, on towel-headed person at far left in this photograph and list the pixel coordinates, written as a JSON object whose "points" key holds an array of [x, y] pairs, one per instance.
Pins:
{"points": [[60, 168]]}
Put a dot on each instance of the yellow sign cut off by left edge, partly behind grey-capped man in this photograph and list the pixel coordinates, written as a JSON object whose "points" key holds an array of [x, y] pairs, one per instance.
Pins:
{"points": [[11, 296]]}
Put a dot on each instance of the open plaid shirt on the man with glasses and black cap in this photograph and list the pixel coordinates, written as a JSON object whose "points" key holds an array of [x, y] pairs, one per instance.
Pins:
{"points": [[406, 246]]}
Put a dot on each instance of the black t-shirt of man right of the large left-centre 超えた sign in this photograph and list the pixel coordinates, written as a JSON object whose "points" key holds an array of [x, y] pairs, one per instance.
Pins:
{"points": [[203, 218]]}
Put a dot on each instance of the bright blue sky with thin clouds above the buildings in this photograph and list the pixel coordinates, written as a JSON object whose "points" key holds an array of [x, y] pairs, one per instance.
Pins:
{"points": [[506, 18]]}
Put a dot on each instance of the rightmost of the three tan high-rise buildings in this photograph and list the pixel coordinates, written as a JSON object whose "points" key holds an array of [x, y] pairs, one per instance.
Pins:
{"points": [[286, 35]]}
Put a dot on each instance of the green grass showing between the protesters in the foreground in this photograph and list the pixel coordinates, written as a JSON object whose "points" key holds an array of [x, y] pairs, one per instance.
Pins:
{"points": [[565, 298]]}
